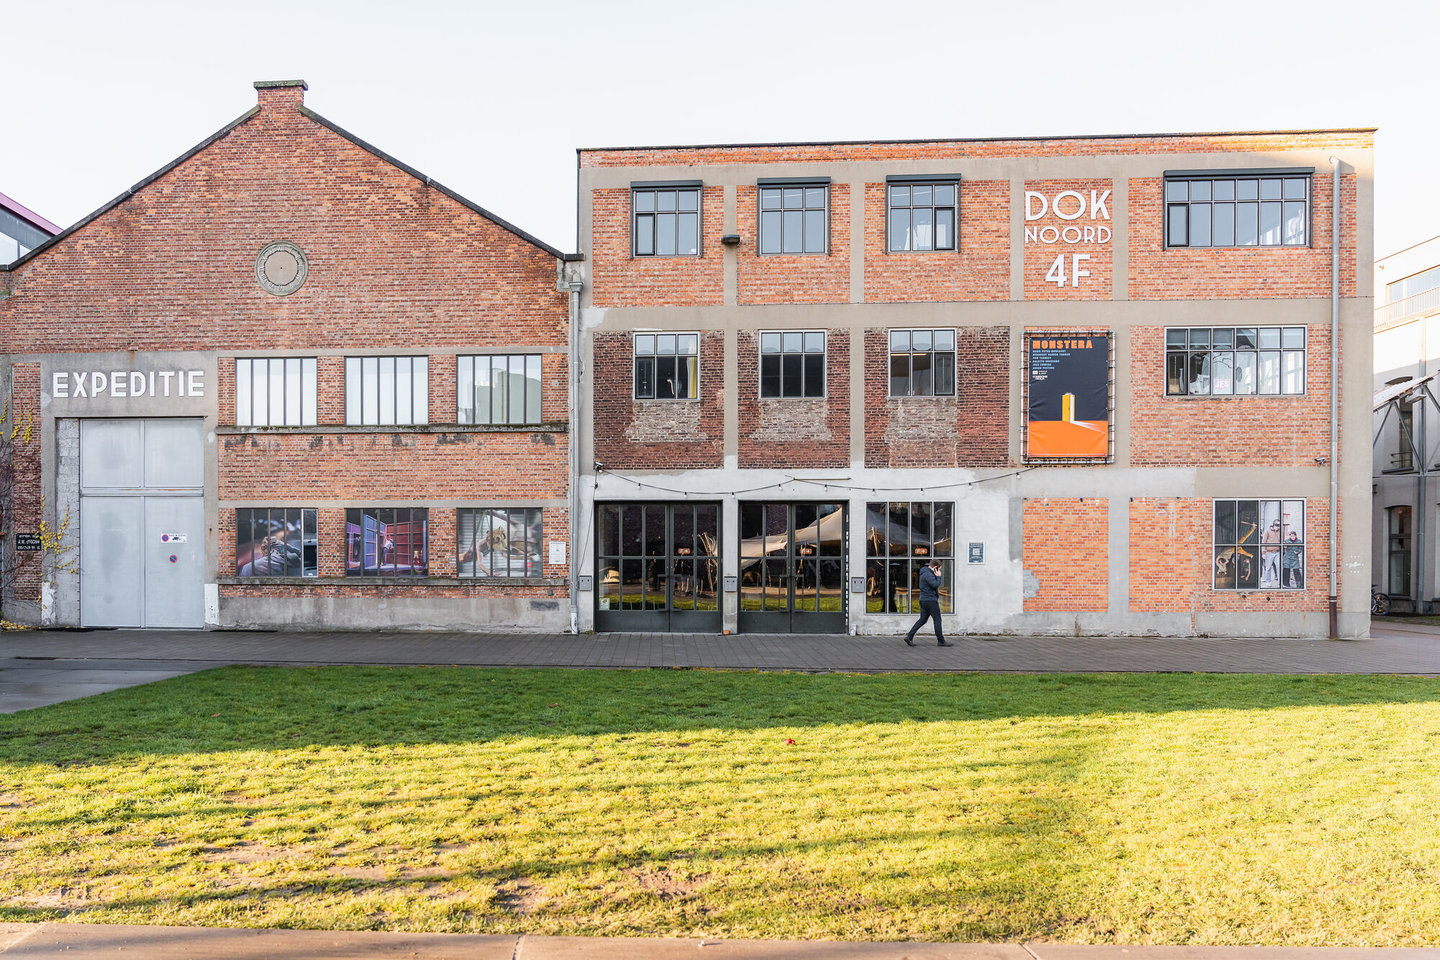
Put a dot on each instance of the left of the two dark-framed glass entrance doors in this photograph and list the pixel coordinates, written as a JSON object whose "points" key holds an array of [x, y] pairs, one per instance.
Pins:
{"points": [[659, 568]]}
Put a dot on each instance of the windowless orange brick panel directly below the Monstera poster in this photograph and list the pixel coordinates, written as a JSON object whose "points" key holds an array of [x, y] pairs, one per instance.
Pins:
{"points": [[1068, 551]]}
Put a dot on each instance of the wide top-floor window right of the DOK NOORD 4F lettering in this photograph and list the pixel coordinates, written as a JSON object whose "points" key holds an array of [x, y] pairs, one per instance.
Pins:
{"points": [[1238, 211]]}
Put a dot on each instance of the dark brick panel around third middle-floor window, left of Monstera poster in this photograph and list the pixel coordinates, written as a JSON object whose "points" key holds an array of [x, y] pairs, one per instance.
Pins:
{"points": [[970, 430]]}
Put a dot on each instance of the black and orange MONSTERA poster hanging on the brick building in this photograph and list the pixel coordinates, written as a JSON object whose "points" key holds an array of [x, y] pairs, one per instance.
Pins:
{"points": [[1068, 409]]}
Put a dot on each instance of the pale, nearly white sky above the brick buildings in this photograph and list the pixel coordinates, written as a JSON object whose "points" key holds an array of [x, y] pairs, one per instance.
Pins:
{"points": [[492, 100]]}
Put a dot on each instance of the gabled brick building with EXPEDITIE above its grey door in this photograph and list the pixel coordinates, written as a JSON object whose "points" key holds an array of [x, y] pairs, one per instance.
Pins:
{"points": [[289, 379]]}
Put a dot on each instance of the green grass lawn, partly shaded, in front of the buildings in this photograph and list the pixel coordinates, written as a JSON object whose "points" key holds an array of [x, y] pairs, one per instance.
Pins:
{"points": [[1183, 810]]}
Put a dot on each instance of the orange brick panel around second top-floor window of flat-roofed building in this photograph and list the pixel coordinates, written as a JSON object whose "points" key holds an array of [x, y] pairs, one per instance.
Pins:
{"points": [[814, 279]]}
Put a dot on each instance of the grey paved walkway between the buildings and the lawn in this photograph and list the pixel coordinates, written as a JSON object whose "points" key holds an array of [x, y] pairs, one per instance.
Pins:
{"points": [[45, 667]]}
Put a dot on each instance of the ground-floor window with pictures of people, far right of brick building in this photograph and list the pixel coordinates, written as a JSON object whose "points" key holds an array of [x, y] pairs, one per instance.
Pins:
{"points": [[1259, 545]]}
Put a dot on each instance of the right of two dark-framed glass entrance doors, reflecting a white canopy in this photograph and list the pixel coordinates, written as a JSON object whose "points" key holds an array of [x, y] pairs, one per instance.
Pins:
{"points": [[793, 568]]}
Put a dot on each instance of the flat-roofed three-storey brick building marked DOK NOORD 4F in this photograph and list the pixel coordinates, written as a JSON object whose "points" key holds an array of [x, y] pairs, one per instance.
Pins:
{"points": [[1092, 375]]}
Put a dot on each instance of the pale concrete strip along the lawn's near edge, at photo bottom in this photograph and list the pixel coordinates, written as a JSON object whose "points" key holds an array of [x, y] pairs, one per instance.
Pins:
{"points": [[45, 942]]}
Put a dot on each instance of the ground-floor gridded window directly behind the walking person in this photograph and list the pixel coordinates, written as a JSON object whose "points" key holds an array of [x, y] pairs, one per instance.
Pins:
{"points": [[901, 539]]}
